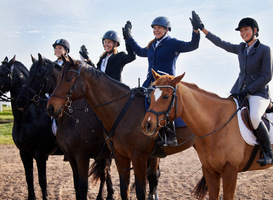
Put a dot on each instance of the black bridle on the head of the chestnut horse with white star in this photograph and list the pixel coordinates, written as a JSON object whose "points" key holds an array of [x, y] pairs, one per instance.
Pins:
{"points": [[173, 103]]}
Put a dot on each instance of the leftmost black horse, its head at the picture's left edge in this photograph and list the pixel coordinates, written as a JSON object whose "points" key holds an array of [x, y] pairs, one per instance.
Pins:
{"points": [[30, 131]]}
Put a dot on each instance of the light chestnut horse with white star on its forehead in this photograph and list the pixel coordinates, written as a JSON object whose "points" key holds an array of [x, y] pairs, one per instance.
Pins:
{"points": [[219, 144]]}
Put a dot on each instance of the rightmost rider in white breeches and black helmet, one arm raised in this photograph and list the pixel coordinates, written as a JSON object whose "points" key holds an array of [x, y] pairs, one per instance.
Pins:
{"points": [[255, 74]]}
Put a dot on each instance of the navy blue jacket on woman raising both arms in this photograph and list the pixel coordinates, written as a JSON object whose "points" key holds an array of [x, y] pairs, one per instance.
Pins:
{"points": [[163, 57]]}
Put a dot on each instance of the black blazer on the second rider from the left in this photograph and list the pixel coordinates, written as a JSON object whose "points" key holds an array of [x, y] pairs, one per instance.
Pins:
{"points": [[116, 62]]}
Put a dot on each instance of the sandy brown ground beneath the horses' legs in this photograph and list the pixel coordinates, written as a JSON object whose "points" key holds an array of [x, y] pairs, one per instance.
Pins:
{"points": [[179, 174]]}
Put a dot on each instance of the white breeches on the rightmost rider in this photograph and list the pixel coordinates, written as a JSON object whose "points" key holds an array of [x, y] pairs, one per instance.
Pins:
{"points": [[257, 107]]}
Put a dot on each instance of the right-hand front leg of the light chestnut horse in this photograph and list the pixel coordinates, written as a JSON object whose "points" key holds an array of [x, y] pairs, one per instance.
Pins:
{"points": [[229, 176]]}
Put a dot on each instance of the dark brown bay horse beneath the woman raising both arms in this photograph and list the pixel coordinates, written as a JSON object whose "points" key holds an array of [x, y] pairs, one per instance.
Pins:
{"points": [[121, 111]]}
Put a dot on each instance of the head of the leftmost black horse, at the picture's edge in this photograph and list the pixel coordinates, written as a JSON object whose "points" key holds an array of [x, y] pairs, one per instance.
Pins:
{"points": [[6, 72]]}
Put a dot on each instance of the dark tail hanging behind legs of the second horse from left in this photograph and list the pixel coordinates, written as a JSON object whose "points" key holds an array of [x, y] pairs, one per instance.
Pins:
{"points": [[99, 169]]}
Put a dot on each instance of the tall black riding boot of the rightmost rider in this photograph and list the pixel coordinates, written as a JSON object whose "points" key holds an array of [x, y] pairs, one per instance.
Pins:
{"points": [[263, 138]]}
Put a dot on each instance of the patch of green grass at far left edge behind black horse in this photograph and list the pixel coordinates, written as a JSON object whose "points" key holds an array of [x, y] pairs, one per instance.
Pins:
{"points": [[6, 123]]}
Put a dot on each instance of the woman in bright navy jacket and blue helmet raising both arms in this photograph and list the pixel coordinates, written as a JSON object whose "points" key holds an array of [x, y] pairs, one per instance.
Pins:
{"points": [[162, 53]]}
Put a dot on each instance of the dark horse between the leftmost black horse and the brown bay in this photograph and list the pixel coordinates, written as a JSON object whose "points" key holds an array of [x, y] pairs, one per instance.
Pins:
{"points": [[79, 131]]}
